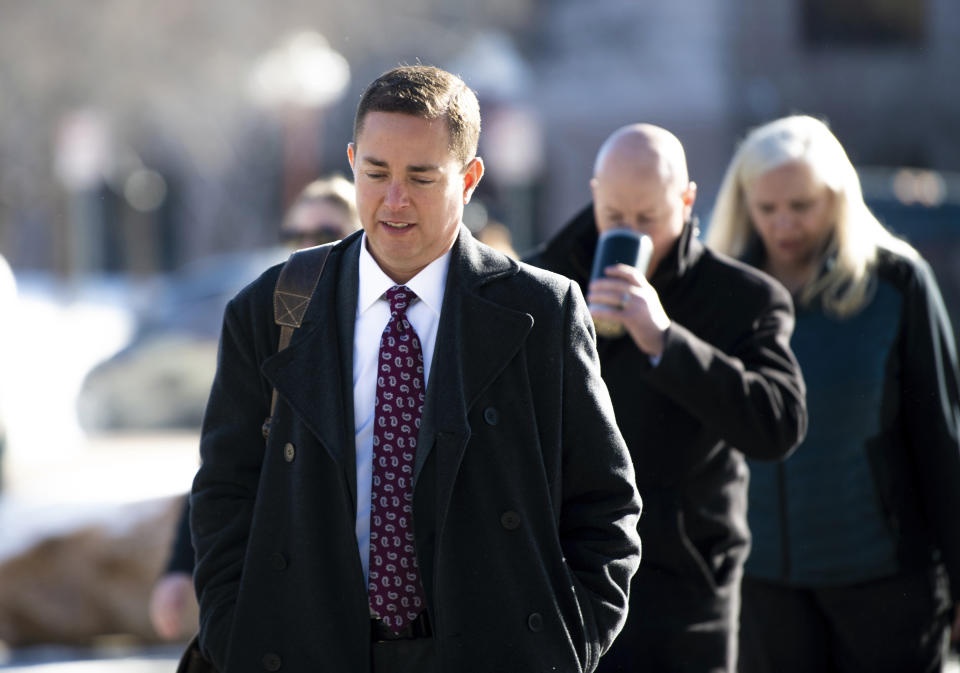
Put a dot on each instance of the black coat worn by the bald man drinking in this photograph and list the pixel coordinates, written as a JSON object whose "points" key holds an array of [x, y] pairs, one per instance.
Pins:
{"points": [[727, 385]]}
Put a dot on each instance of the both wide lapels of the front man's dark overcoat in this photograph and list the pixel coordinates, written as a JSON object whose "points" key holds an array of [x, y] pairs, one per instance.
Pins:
{"points": [[476, 339]]}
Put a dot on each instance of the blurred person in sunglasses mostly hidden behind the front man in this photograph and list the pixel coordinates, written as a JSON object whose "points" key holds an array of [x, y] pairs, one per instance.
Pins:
{"points": [[324, 211]]}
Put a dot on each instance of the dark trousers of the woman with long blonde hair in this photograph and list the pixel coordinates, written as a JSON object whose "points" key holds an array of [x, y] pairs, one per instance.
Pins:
{"points": [[896, 624]]}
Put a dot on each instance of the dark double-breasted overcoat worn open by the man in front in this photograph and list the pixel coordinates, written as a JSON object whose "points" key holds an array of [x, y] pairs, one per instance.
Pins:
{"points": [[525, 506]]}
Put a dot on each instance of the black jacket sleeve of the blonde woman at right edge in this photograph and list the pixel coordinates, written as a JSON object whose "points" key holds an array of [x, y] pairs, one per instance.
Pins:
{"points": [[918, 450]]}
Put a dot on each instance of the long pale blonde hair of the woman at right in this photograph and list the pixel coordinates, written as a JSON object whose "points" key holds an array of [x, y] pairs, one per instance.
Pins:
{"points": [[857, 234]]}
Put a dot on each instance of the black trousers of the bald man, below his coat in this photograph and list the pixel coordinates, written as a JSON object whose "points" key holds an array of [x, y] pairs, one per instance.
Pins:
{"points": [[676, 625]]}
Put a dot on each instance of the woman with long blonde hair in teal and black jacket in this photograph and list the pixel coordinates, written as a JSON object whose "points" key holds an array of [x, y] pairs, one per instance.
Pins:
{"points": [[853, 532]]}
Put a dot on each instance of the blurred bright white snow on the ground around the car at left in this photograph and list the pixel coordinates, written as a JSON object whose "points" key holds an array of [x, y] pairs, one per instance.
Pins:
{"points": [[55, 476]]}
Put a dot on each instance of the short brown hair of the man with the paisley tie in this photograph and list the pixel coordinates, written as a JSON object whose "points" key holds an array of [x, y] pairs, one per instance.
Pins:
{"points": [[430, 93]]}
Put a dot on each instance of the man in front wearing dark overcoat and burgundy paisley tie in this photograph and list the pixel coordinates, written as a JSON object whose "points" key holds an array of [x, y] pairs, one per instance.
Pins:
{"points": [[498, 534]]}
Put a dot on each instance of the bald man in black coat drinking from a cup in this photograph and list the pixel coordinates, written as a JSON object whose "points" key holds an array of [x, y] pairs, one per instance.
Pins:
{"points": [[702, 377]]}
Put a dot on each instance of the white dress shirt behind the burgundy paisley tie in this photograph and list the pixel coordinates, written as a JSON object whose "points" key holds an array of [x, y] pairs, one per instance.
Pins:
{"points": [[373, 313]]}
